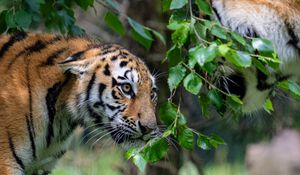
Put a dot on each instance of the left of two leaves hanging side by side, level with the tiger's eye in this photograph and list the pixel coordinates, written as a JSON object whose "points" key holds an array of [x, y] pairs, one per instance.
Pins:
{"points": [[176, 74]]}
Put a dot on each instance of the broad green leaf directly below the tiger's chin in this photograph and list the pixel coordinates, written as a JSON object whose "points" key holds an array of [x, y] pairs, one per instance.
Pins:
{"points": [[155, 150]]}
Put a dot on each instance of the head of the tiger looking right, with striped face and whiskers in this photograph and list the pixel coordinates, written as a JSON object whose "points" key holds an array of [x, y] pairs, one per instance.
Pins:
{"points": [[114, 90]]}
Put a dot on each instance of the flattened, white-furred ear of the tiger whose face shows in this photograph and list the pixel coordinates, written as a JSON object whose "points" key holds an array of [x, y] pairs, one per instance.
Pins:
{"points": [[76, 67]]}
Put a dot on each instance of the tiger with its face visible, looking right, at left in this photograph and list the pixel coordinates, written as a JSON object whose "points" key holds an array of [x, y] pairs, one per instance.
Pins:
{"points": [[50, 84]]}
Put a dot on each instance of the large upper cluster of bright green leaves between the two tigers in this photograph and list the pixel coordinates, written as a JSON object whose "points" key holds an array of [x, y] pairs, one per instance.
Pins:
{"points": [[202, 47]]}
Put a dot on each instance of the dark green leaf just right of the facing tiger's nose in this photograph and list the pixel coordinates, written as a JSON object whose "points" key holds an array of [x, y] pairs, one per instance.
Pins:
{"points": [[168, 113]]}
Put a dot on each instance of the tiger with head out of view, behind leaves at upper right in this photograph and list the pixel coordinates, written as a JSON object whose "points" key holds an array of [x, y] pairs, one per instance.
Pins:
{"points": [[275, 20]]}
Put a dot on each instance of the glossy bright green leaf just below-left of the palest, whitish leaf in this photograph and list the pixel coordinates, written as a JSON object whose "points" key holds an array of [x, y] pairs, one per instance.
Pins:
{"points": [[239, 58]]}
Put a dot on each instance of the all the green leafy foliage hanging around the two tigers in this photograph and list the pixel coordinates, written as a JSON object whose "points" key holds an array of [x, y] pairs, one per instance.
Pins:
{"points": [[198, 47]]}
